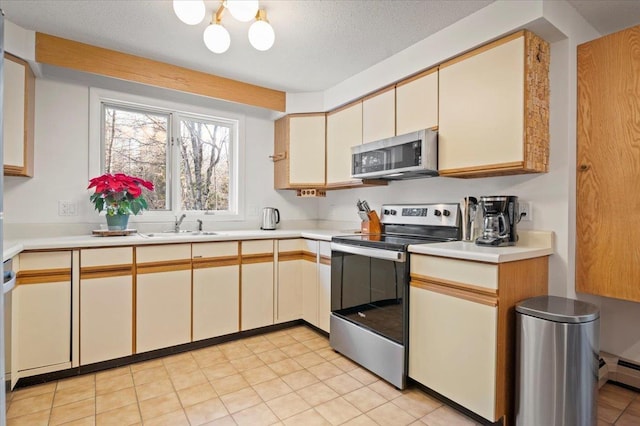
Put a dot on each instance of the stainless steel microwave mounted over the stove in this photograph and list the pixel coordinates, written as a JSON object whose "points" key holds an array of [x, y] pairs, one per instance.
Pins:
{"points": [[407, 156]]}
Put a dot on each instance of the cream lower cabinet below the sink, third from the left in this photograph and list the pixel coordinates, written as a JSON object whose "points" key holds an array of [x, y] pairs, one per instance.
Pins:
{"points": [[163, 296]]}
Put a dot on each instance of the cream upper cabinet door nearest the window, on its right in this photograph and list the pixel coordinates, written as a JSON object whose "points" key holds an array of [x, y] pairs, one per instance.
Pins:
{"points": [[307, 150]]}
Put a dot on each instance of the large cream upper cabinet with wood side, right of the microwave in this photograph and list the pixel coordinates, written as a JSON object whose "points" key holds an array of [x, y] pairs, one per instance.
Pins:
{"points": [[494, 109]]}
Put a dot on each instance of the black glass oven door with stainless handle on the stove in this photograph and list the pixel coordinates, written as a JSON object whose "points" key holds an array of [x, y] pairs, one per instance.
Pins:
{"points": [[368, 289]]}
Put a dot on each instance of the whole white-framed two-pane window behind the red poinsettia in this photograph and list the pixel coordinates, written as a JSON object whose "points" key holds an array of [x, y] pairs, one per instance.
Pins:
{"points": [[190, 157]]}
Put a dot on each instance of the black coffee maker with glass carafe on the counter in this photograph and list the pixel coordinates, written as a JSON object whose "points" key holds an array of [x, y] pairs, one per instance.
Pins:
{"points": [[499, 218]]}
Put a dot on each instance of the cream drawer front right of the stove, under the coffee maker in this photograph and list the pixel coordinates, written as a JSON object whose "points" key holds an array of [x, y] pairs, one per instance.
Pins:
{"points": [[456, 271]]}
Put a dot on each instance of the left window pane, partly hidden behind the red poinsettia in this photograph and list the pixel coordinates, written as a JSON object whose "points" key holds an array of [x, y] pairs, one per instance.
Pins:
{"points": [[135, 143]]}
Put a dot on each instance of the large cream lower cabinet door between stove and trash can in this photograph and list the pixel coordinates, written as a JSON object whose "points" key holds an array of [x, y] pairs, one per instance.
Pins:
{"points": [[452, 348]]}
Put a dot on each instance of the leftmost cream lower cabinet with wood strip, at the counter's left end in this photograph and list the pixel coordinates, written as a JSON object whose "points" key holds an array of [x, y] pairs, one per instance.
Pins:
{"points": [[41, 314]]}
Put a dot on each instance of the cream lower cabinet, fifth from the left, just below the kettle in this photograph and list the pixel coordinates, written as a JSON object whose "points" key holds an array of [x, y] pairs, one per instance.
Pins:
{"points": [[256, 284]]}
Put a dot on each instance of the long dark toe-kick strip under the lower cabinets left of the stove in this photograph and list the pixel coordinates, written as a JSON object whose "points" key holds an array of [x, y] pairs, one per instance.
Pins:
{"points": [[159, 353]]}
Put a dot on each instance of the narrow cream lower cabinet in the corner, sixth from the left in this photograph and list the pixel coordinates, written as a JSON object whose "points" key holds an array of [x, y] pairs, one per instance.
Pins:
{"points": [[289, 280]]}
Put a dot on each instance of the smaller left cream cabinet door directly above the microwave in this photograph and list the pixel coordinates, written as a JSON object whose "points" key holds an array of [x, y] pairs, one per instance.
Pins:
{"points": [[379, 116]]}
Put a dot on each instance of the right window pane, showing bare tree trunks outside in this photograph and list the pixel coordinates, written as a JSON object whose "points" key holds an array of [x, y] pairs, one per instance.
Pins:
{"points": [[205, 156]]}
